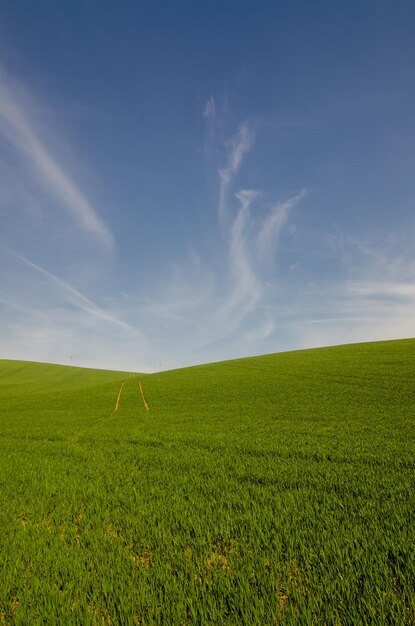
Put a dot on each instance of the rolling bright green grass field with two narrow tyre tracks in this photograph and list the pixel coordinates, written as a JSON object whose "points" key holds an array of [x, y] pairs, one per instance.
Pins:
{"points": [[269, 490]]}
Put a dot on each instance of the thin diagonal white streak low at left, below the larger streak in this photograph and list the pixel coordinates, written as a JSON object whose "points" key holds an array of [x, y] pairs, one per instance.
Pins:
{"points": [[73, 296]]}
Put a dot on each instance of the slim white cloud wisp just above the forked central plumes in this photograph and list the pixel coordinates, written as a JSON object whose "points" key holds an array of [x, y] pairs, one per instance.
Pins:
{"points": [[239, 145]]}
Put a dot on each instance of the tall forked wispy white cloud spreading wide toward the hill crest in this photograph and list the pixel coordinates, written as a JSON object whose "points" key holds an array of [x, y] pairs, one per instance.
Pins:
{"points": [[225, 303]]}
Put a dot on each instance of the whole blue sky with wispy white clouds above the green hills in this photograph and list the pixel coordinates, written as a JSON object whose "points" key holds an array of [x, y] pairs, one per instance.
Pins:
{"points": [[188, 182]]}
